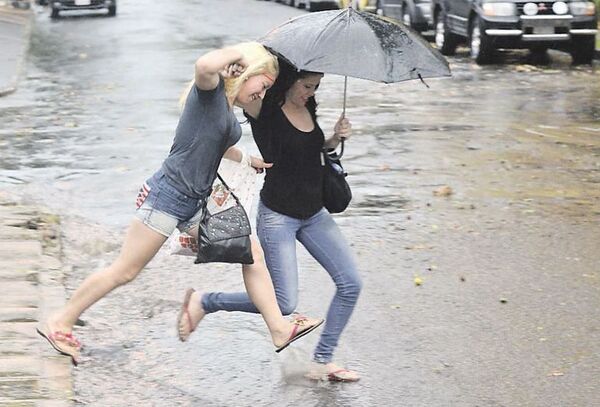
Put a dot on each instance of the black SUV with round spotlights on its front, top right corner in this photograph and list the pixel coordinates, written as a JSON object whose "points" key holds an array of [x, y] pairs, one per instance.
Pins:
{"points": [[487, 25]]}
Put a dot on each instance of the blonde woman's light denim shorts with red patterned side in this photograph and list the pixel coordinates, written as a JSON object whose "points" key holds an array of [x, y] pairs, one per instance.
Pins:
{"points": [[163, 208]]}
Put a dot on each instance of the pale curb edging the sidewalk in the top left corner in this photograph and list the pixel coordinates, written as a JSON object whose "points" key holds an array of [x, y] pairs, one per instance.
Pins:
{"points": [[25, 17]]}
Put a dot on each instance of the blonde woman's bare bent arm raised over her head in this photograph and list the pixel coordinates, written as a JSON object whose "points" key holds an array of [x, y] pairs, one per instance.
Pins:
{"points": [[209, 65]]}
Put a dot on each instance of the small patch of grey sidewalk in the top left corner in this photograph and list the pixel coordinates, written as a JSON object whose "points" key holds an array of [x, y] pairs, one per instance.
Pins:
{"points": [[15, 31]]}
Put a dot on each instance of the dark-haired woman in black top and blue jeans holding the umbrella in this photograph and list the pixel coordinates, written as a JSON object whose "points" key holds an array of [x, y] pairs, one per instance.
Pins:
{"points": [[288, 135]]}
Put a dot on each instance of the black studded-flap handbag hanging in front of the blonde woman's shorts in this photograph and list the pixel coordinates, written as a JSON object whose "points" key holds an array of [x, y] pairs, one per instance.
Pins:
{"points": [[224, 237]]}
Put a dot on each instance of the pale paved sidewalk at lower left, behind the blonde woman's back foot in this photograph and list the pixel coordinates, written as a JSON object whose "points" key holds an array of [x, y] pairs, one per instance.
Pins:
{"points": [[31, 373]]}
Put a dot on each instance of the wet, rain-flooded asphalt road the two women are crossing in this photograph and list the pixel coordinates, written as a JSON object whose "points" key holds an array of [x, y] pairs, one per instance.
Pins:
{"points": [[507, 312]]}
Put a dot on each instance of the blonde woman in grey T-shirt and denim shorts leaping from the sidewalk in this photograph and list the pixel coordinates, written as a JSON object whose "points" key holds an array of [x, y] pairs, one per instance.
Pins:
{"points": [[171, 198]]}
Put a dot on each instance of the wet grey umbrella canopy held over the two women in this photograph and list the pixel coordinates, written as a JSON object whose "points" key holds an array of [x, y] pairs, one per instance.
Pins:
{"points": [[356, 44]]}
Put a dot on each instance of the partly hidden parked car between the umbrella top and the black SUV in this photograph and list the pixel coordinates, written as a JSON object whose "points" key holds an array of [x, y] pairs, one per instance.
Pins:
{"points": [[413, 13]]}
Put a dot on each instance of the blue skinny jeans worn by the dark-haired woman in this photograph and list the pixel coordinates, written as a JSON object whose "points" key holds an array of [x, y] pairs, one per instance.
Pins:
{"points": [[324, 241]]}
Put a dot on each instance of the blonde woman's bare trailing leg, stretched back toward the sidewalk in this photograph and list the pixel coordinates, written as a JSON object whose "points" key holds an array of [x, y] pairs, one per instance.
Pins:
{"points": [[140, 245]]}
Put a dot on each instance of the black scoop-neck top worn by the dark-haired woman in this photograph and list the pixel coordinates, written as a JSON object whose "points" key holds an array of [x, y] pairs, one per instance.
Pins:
{"points": [[293, 186]]}
